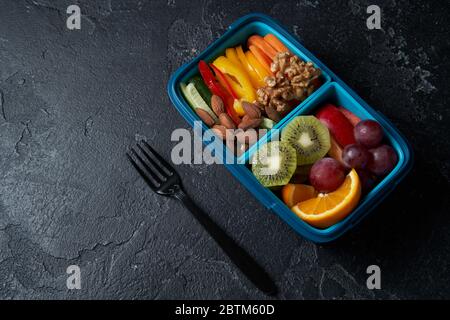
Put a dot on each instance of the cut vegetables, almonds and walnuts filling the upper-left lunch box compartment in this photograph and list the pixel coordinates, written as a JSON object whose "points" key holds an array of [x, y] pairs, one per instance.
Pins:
{"points": [[250, 89]]}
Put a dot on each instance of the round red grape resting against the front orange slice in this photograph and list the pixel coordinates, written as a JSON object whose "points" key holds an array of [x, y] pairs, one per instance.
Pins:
{"points": [[327, 175]]}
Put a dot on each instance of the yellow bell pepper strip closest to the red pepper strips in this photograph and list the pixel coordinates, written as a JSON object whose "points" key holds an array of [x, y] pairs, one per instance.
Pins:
{"points": [[237, 76]]}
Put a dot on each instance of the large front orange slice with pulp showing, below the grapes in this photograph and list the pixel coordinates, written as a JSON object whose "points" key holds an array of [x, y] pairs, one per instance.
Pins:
{"points": [[329, 208]]}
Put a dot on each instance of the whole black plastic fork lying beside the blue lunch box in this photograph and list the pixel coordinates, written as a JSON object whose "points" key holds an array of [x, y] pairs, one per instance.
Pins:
{"points": [[164, 180]]}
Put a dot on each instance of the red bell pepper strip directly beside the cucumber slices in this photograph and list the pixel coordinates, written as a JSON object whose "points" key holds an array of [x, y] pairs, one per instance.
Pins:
{"points": [[218, 90]]}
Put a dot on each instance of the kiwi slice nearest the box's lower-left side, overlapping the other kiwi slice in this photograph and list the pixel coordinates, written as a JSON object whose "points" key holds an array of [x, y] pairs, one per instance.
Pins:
{"points": [[274, 164]]}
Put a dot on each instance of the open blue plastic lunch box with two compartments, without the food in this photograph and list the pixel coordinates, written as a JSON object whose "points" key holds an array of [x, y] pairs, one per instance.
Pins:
{"points": [[333, 90]]}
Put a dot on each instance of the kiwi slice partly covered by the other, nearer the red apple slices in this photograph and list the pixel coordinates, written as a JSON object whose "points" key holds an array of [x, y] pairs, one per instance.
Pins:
{"points": [[309, 137]]}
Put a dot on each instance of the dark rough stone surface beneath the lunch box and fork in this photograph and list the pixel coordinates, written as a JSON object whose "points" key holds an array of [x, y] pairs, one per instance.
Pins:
{"points": [[73, 101]]}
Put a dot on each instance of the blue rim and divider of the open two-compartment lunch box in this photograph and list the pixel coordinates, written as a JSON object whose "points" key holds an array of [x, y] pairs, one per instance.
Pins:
{"points": [[245, 176]]}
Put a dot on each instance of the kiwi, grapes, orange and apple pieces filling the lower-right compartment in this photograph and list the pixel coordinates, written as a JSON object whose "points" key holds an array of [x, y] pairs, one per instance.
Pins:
{"points": [[324, 163]]}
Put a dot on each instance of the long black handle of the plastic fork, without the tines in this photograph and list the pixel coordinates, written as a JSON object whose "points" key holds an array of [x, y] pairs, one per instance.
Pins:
{"points": [[254, 272]]}
